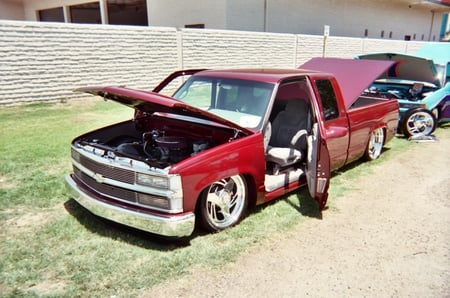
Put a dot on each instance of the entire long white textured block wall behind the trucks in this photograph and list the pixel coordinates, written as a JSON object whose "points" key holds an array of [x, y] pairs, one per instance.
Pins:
{"points": [[46, 61]]}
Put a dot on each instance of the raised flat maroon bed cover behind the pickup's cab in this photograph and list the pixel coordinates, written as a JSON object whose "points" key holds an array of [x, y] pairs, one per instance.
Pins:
{"points": [[353, 76]]}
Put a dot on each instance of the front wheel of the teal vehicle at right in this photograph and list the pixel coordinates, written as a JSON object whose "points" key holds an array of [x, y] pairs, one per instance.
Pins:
{"points": [[418, 122]]}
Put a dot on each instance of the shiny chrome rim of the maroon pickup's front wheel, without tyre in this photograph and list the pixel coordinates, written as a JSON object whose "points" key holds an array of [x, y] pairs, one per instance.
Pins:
{"points": [[225, 201]]}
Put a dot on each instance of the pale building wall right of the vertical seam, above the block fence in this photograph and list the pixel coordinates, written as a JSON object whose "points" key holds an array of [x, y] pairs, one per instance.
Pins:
{"points": [[351, 18]]}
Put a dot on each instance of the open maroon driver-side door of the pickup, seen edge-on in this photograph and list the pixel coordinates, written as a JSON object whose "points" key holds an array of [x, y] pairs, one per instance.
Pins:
{"points": [[318, 167]]}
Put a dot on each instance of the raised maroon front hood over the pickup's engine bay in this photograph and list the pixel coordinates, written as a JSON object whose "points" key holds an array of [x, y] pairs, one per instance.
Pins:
{"points": [[152, 102]]}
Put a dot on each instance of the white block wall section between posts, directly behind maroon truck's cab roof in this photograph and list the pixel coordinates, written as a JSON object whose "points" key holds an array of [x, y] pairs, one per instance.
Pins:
{"points": [[239, 49]]}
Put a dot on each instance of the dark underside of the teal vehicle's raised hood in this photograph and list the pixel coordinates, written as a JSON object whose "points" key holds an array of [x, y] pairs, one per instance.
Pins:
{"points": [[407, 67]]}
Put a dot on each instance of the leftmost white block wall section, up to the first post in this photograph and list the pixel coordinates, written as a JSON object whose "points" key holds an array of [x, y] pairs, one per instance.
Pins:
{"points": [[46, 61]]}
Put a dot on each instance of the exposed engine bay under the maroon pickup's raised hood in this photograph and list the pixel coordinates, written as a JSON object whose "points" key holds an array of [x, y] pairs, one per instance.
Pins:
{"points": [[158, 145]]}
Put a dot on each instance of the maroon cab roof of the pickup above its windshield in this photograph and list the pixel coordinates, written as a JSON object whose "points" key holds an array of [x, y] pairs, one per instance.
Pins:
{"points": [[268, 75]]}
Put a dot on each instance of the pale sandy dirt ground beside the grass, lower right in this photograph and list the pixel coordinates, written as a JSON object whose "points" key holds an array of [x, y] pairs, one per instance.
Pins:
{"points": [[388, 237]]}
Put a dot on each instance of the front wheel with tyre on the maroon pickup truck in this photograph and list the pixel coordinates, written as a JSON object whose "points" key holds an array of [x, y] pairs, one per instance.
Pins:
{"points": [[223, 203]]}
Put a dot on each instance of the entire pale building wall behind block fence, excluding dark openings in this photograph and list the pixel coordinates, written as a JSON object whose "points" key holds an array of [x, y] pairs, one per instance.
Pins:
{"points": [[346, 18]]}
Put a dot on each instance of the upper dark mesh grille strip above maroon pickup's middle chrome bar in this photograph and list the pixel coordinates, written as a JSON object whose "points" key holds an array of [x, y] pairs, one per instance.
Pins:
{"points": [[106, 171]]}
